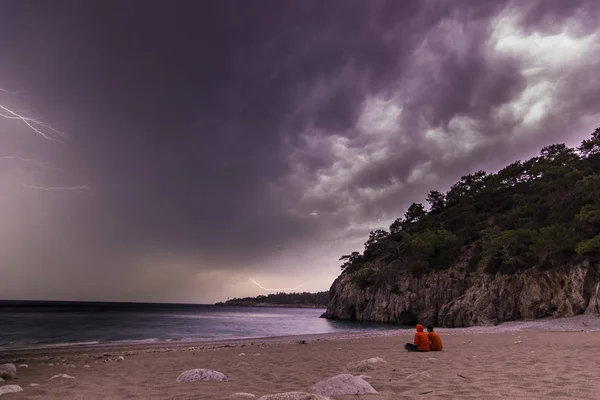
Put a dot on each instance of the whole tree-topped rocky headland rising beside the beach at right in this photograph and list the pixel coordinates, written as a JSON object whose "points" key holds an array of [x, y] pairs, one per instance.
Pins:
{"points": [[520, 244]]}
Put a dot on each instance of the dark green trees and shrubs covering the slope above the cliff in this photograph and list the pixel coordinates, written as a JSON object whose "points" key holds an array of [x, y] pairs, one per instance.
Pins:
{"points": [[543, 212]]}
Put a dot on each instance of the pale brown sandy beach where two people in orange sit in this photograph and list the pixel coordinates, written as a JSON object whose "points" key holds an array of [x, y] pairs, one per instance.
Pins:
{"points": [[556, 359]]}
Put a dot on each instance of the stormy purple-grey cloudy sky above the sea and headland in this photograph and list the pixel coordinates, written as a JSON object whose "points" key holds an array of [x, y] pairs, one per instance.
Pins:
{"points": [[225, 140]]}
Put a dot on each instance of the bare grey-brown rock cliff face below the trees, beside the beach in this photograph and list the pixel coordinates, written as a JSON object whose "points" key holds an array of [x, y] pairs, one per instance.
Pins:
{"points": [[459, 297]]}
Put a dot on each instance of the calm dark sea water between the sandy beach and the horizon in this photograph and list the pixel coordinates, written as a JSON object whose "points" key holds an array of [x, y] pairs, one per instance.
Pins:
{"points": [[33, 324]]}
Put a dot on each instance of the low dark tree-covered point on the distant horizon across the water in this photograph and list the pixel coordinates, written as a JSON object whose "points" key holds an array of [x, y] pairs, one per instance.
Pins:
{"points": [[303, 300]]}
